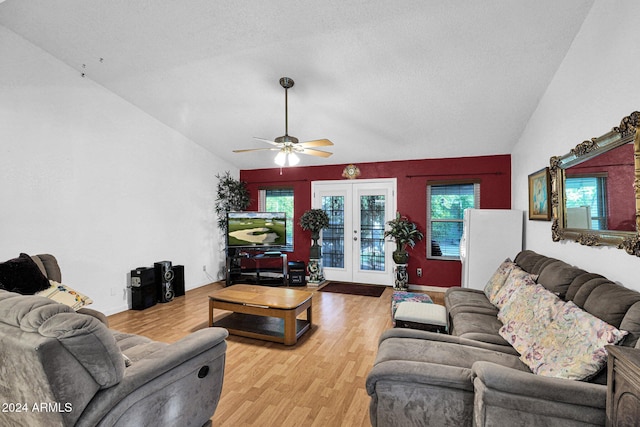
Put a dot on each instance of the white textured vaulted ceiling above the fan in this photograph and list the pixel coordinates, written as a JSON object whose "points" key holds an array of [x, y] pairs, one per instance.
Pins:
{"points": [[383, 80]]}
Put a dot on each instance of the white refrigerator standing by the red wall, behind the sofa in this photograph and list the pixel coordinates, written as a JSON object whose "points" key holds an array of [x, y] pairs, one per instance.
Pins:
{"points": [[489, 236]]}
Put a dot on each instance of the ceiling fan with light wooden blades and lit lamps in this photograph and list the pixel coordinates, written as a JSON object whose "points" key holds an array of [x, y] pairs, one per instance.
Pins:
{"points": [[289, 147]]}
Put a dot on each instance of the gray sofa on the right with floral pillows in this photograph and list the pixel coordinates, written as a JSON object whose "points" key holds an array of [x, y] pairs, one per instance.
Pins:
{"points": [[475, 377]]}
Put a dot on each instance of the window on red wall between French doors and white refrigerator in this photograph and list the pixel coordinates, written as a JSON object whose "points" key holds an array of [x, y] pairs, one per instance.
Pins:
{"points": [[445, 205]]}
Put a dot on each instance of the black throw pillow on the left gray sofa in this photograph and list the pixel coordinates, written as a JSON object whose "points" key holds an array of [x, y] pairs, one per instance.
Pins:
{"points": [[22, 275]]}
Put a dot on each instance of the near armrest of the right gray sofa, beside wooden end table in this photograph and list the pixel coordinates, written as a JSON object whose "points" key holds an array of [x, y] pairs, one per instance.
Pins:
{"points": [[534, 399]]}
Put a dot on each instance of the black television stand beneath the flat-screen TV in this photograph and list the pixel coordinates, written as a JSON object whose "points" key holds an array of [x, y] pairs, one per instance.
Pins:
{"points": [[256, 268]]}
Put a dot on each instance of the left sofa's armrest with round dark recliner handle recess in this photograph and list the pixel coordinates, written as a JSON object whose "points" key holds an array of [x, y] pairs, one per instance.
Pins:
{"points": [[173, 373]]}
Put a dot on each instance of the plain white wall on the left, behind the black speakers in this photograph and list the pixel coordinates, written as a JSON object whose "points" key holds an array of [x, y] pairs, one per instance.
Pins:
{"points": [[88, 177]]}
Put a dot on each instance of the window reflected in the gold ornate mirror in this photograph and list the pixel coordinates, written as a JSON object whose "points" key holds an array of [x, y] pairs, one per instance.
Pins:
{"points": [[586, 202]]}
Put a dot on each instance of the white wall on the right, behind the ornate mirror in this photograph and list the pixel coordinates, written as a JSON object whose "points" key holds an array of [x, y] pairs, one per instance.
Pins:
{"points": [[594, 88]]}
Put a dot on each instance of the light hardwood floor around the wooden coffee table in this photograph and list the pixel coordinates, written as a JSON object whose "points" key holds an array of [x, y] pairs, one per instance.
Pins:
{"points": [[318, 382]]}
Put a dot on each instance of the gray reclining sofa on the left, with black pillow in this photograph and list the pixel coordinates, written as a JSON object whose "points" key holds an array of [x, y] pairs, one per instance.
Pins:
{"points": [[65, 368]]}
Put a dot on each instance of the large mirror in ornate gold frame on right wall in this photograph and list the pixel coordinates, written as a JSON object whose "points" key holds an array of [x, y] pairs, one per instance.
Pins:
{"points": [[595, 190]]}
